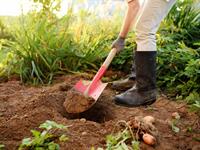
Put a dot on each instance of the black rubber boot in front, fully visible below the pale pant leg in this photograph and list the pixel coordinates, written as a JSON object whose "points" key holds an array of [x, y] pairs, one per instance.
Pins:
{"points": [[144, 90]]}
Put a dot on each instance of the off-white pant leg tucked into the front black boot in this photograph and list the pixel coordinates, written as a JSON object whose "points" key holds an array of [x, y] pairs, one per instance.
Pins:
{"points": [[148, 23]]}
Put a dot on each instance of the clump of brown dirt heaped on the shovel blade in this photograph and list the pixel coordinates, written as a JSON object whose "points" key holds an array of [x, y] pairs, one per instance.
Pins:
{"points": [[76, 102]]}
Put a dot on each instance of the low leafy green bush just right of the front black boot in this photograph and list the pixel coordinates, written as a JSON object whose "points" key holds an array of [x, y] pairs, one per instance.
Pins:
{"points": [[178, 70]]}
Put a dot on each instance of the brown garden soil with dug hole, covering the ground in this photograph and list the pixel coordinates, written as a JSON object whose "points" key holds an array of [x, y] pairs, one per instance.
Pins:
{"points": [[23, 108]]}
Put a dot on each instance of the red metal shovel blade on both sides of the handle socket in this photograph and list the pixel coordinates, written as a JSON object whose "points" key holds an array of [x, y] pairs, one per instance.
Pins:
{"points": [[95, 92]]}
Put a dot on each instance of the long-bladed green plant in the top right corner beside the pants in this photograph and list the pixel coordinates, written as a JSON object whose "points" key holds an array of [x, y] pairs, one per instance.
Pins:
{"points": [[184, 22]]}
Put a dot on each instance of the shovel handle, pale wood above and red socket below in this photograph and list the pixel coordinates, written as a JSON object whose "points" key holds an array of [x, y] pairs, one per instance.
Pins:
{"points": [[101, 71]]}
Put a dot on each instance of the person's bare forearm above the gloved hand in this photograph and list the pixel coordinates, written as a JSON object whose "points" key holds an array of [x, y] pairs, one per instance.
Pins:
{"points": [[133, 8]]}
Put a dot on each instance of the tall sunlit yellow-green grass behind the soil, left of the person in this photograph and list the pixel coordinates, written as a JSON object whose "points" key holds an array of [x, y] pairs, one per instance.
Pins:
{"points": [[46, 46]]}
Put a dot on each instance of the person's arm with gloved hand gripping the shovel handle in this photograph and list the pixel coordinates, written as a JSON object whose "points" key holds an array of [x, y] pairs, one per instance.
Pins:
{"points": [[131, 13]]}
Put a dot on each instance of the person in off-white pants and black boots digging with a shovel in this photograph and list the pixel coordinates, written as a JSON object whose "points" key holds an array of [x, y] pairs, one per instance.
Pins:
{"points": [[142, 81]]}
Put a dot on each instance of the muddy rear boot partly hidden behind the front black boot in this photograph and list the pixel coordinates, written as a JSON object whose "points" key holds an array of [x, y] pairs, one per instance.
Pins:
{"points": [[127, 83]]}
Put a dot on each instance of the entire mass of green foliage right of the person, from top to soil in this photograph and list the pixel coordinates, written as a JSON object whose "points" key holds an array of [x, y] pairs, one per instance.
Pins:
{"points": [[179, 51]]}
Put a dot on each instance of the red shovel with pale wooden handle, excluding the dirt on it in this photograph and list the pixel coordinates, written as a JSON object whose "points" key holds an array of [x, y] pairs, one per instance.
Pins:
{"points": [[95, 87]]}
